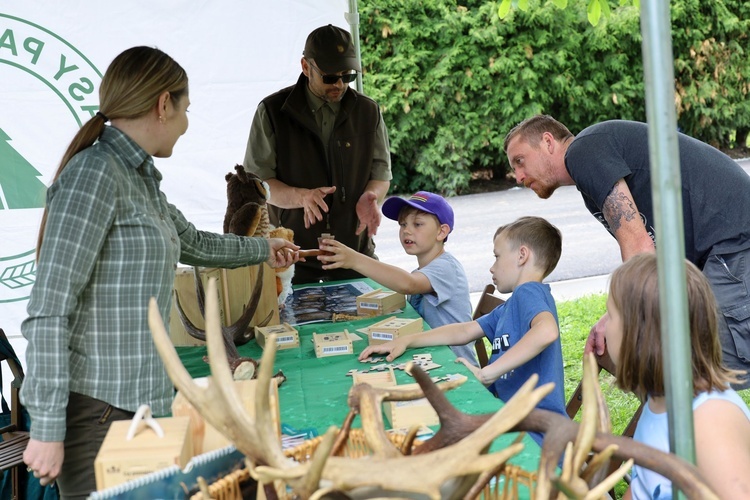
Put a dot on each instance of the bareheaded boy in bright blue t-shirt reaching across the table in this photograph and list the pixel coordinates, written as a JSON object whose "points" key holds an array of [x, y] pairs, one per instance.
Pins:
{"points": [[524, 331]]}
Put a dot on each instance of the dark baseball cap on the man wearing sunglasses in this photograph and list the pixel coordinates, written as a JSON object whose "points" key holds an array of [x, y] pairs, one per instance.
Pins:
{"points": [[332, 49]]}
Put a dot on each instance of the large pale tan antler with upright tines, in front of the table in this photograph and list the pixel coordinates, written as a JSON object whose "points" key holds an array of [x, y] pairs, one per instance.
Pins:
{"points": [[382, 473]]}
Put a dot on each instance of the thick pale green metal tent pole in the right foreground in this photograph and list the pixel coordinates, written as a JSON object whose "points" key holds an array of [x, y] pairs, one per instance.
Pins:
{"points": [[666, 187]]}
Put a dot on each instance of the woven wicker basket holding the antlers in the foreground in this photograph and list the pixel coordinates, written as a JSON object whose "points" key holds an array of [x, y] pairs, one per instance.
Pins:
{"points": [[503, 485]]}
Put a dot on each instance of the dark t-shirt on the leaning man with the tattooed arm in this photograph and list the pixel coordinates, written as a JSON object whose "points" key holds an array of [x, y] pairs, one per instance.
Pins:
{"points": [[715, 190]]}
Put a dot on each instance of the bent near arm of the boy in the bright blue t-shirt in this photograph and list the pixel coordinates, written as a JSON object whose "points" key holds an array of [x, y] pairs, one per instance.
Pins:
{"points": [[542, 333]]}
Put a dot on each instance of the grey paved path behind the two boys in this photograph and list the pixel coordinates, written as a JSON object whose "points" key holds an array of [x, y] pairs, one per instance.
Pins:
{"points": [[589, 254]]}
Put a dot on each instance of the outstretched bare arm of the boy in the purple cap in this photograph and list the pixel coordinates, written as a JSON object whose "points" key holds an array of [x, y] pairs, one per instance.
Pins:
{"points": [[387, 275]]}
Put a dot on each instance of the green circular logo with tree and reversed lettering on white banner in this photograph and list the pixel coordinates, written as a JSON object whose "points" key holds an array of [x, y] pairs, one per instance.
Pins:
{"points": [[69, 77]]}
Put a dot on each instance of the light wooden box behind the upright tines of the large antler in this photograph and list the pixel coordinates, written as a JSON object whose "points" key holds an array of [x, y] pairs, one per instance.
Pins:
{"points": [[205, 437]]}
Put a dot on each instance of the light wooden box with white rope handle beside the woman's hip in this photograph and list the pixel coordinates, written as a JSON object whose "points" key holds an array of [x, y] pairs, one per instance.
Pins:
{"points": [[119, 460]]}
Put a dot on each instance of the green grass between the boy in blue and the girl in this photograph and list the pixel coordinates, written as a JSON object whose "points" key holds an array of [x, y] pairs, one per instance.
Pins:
{"points": [[576, 318]]}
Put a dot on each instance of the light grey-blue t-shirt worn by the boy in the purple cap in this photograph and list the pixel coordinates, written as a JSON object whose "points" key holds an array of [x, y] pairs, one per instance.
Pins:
{"points": [[450, 302]]}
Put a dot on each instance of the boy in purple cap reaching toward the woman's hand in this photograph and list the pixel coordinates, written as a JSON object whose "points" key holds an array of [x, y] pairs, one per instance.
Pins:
{"points": [[438, 288]]}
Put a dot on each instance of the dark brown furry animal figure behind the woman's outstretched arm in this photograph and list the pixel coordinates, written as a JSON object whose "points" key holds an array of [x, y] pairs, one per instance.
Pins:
{"points": [[247, 214]]}
